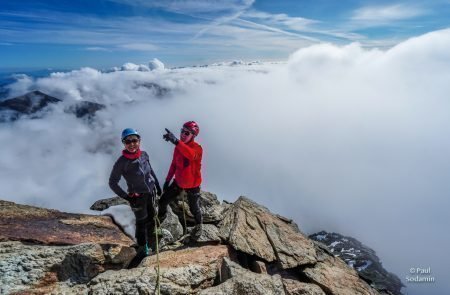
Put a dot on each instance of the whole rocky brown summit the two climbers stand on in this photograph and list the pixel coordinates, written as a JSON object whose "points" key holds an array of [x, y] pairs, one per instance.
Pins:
{"points": [[242, 249]]}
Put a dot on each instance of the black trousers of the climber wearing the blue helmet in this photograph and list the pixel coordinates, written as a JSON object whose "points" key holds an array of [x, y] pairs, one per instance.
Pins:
{"points": [[144, 212]]}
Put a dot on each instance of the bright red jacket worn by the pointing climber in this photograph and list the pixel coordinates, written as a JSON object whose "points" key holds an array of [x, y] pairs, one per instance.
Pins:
{"points": [[186, 164]]}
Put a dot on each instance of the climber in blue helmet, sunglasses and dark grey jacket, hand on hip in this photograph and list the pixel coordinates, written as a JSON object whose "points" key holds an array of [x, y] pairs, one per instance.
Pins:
{"points": [[143, 186]]}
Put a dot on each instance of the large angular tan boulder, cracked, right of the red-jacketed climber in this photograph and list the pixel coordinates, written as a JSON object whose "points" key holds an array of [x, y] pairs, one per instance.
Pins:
{"points": [[252, 229]]}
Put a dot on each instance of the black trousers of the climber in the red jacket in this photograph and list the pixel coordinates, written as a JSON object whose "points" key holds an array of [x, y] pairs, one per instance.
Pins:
{"points": [[193, 196]]}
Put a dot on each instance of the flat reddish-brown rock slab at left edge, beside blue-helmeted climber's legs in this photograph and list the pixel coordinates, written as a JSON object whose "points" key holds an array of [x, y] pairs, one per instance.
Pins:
{"points": [[51, 227]]}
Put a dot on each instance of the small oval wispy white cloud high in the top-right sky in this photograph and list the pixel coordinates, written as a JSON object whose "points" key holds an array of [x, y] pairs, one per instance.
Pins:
{"points": [[387, 14]]}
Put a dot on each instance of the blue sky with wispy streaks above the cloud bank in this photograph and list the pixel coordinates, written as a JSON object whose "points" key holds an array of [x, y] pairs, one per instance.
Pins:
{"points": [[105, 33]]}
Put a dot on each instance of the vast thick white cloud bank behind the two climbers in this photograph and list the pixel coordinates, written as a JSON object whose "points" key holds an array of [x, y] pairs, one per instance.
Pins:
{"points": [[339, 138]]}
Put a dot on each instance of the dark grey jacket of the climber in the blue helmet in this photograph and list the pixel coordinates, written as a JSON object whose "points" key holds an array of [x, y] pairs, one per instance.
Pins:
{"points": [[138, 174]]}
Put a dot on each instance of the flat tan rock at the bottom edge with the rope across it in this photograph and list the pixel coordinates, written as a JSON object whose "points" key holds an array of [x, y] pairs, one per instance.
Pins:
{"points": [[184, 271]]}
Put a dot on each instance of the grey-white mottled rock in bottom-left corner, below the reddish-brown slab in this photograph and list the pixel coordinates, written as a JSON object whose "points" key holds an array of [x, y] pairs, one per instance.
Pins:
{"points": [[47, 269]]}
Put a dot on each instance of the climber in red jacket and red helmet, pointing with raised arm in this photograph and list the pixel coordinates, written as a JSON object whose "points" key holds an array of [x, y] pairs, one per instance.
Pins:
{"points": [[185, 167]]}
